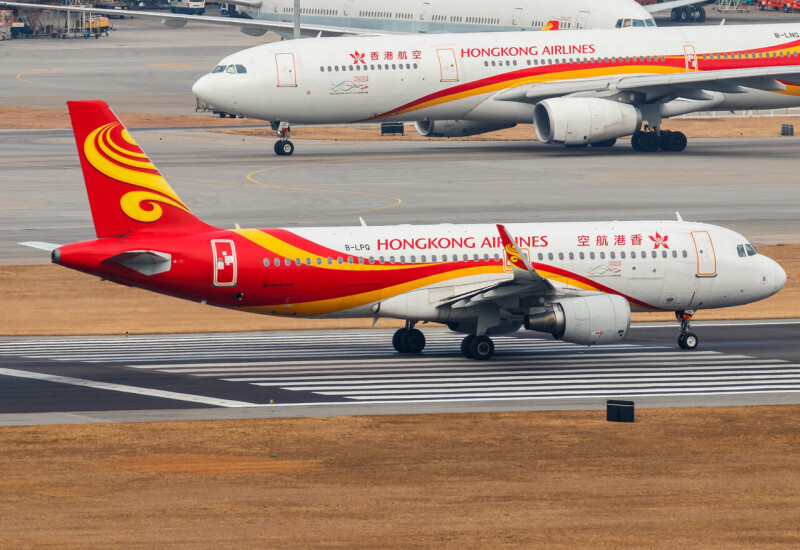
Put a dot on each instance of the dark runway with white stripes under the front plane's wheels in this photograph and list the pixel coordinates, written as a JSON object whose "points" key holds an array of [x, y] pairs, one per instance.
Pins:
{"points": [[357, 372]]}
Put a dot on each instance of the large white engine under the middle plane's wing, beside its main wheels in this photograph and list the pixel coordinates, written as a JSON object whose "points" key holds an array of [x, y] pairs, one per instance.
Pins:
{"points": [[583, 120]]}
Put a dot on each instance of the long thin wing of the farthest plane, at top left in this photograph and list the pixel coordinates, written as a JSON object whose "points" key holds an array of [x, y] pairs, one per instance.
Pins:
{"points": [[253, 27]]}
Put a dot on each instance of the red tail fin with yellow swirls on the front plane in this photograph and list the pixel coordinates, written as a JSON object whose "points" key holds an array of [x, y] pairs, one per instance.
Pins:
{"points": [[126, 191]]}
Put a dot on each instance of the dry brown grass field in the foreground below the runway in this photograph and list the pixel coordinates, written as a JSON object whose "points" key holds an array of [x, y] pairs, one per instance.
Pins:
{"points": [[677, 478]]}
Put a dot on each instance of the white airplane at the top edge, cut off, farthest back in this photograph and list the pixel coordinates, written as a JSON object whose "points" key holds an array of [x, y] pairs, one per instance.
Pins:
{"points": [[355, 17]]}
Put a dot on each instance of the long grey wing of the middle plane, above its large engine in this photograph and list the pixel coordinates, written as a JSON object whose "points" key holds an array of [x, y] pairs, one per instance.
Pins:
{"points": [[654, 86]]}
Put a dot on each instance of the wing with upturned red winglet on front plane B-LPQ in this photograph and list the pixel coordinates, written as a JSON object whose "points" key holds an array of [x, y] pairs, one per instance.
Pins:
{"points": [[526, 281]]}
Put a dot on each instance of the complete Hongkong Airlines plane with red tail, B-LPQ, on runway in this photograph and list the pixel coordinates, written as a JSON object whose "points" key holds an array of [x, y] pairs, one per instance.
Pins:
{"points": [[576, 281]]}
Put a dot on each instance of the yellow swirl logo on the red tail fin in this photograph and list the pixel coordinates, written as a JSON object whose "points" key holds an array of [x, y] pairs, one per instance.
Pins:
{"points": [[111, 150]]}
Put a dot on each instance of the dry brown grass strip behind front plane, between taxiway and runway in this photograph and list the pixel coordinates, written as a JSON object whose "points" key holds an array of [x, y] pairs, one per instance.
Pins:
{"points": [[52, 300]]}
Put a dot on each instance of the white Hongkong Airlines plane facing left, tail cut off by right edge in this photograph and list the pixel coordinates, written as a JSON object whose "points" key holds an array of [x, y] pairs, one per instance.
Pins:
{"points": [[576, 87]]}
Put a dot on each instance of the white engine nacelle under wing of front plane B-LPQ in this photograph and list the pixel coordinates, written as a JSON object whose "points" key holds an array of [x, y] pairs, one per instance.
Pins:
{"points": [[588, 320]]}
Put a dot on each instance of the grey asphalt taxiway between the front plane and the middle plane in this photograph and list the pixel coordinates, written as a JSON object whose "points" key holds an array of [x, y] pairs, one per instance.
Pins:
{"points": [[748, 185]]}
